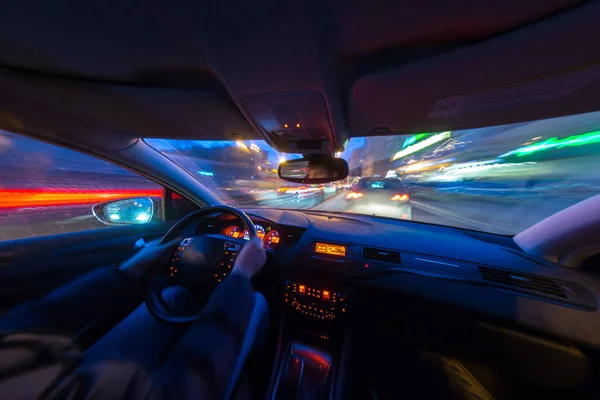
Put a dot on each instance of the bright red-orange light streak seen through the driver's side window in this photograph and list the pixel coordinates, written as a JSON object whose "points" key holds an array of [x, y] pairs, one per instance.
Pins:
{"points": [[21, 198]]}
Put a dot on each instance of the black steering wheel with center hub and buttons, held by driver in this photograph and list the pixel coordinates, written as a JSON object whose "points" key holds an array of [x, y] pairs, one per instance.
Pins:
{"points": [[195, 259]]}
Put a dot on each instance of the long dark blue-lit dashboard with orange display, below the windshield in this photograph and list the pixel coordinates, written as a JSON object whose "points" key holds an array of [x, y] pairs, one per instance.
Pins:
{"points": [[476, 272]]}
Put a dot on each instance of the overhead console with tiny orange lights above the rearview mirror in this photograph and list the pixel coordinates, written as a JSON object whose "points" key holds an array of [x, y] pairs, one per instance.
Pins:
{"points": [[292, 122]]}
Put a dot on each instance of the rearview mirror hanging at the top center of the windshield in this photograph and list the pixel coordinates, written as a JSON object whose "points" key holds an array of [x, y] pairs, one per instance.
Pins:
{"points": [[314, 169]]}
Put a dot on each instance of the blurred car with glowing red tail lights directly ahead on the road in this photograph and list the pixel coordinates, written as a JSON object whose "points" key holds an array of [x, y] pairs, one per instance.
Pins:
{"points": [[379, 196]]}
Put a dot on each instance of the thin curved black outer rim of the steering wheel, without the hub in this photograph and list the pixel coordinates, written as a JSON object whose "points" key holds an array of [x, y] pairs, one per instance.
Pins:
{"points": [[153, 296]]}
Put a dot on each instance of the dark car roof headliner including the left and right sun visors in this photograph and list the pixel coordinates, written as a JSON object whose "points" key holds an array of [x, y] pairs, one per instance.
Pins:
{"points": [[101, 75]]}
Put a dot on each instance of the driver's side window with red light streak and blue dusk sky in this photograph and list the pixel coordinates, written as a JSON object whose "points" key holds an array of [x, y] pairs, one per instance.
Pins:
{"points": [[47, 189]]}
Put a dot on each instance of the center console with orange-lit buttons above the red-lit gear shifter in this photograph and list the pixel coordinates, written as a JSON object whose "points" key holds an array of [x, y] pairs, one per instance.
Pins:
{"points": [[313, 341]]}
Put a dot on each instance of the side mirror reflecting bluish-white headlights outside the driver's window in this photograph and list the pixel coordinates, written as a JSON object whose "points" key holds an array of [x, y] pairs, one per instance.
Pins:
{"points": [[139, 210]]}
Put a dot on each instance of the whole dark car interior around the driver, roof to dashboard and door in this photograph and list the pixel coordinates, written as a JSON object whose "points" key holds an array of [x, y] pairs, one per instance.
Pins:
{"points": [[361, 306]]}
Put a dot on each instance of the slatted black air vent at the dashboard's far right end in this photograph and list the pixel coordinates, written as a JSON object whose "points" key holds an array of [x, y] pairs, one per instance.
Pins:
{"points": [[522, 281]]}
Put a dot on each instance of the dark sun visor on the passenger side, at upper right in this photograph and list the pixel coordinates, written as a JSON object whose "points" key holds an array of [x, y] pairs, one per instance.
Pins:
{"points": [[545, 70]]}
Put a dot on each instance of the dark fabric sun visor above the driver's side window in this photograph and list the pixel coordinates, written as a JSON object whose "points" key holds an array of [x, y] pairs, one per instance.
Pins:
{"points": [[131, 110]]}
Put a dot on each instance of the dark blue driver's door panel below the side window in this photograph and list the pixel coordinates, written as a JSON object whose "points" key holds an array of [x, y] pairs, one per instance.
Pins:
{"points": [[31, 267]]}
